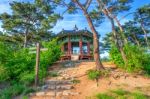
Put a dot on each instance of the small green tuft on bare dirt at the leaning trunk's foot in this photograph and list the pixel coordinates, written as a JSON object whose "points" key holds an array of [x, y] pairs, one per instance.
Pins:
{"points": [[93, 74]]}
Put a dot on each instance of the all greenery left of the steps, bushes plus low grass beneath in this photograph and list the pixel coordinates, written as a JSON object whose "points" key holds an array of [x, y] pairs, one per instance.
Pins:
{"points": [[17, 66]]}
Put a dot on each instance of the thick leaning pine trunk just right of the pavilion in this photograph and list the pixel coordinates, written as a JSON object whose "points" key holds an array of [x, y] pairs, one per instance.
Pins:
{"points": [[98, 63]]}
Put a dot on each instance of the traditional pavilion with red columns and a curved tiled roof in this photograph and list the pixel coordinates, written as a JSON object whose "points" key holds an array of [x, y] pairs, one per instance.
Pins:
{"points": [[77, 44]]}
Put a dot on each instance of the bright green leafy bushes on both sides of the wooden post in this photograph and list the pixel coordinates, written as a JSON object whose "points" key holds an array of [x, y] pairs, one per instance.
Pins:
{"points": [[18, 64]]}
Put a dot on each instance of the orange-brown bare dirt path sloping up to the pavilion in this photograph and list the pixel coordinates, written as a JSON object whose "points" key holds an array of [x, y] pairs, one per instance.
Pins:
{"points": [[85, 87]]}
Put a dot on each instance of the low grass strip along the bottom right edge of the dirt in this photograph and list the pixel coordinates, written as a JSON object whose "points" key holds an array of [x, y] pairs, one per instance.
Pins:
{"points": [[121, 94]]}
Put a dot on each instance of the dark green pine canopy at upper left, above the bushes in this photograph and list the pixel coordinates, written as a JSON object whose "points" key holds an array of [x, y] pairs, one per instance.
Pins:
{"points": [[31, 20]]}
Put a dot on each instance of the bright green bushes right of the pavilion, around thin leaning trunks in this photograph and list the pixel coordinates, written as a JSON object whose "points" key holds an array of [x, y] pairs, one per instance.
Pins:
{"points": [[138, 59]]}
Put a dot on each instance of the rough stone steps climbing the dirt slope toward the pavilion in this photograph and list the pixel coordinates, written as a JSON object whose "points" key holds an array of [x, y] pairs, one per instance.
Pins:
{"points": [[60, 87]]}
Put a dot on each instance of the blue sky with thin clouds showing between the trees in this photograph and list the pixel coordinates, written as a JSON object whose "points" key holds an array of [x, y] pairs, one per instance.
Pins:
{"points": [[69, 21]]}
